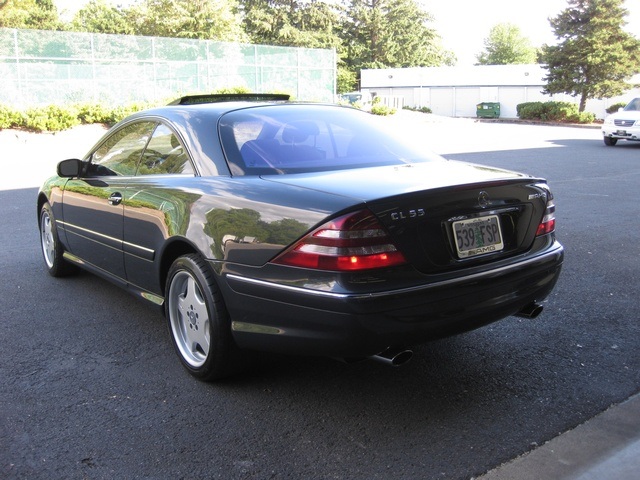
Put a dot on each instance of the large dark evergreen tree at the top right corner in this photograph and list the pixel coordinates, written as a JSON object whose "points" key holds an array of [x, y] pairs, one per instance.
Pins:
{"points": [[595, 55]]}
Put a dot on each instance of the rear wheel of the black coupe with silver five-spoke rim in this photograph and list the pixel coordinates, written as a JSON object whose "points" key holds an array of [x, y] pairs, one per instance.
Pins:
{"points": [[198, 321]]}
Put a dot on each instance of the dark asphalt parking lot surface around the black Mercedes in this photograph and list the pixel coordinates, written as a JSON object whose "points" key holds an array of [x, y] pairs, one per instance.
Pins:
{"points": [[91, 388]]}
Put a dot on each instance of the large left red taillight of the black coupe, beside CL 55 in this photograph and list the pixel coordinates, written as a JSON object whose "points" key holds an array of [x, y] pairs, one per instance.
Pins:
{"points": [[356, 241]]}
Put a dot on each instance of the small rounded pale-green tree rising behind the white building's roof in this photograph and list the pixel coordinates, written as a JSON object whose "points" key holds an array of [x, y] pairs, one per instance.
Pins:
{"points": [[505, 45]]}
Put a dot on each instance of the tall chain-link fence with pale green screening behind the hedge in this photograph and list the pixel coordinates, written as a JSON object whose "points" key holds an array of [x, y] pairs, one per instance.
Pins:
{"points": [[47, 67]]}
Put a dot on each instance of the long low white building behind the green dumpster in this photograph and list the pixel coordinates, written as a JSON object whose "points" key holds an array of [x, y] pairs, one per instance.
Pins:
{"points": [[455, 91]]}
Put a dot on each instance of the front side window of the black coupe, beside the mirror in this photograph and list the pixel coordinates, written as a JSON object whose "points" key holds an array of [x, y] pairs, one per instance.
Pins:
{"points": [[120, 153]]}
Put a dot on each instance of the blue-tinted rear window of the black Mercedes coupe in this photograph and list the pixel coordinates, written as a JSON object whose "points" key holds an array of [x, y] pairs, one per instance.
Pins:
{"points": [[310, 138]]}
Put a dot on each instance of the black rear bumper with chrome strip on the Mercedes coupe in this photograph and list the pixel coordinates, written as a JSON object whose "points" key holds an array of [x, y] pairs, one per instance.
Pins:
{"points": [[275, 317]]}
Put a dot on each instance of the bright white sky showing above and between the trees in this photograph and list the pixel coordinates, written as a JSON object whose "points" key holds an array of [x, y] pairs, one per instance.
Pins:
{"points": [[465, 24]]}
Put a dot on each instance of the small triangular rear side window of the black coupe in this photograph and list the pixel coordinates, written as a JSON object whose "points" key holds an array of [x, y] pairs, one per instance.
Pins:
{"points": [[165, 155]]}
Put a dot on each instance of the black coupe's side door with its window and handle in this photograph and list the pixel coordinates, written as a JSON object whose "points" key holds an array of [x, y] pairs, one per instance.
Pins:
{"points": [[93, 204]]}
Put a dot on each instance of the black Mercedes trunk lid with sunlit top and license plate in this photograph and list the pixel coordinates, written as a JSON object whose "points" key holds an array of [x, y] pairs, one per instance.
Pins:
{"points": [[446, 218]]}
